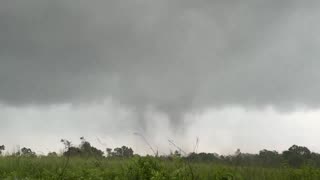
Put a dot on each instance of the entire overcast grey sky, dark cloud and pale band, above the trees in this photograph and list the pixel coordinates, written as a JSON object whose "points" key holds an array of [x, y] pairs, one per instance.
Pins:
{"points": [[236, 74]]}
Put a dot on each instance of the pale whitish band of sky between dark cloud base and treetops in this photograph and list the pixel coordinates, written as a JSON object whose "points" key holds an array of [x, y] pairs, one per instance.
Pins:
{"points": [[111, 125]]}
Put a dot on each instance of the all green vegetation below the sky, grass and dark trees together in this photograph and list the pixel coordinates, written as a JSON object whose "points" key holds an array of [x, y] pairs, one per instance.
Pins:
{"points": [[87, 162]]}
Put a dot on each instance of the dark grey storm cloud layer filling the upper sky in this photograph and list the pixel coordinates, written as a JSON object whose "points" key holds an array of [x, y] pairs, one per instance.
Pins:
{"points": [[170, 54]]}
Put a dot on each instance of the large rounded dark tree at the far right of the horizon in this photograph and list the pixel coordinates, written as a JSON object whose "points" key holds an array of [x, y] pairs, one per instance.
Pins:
{"points": [[296, 156]]}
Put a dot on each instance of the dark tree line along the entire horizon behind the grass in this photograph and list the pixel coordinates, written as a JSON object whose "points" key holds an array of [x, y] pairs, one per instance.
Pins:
{"points": [[296, 156]]}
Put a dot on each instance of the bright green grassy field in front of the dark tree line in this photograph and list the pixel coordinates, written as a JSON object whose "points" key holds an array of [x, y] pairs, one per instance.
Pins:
{"points": [[18, 167]]}
